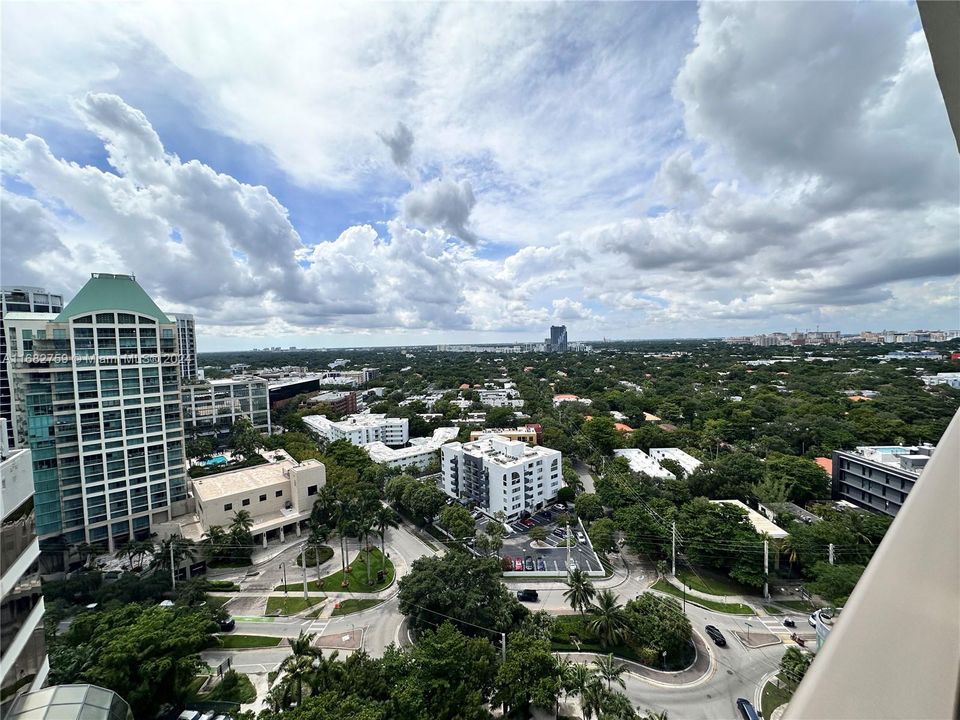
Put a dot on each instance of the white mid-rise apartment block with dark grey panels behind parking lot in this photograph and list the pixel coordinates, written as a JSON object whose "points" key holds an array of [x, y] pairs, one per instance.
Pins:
{"points": [[501, 475]]}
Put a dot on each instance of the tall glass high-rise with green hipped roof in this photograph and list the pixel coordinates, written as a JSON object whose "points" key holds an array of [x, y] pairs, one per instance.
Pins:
{"points": [[96, 397]]}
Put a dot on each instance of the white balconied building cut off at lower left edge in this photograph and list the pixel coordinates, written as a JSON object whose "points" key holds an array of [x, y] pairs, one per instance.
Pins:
{"points": [[23, 652]]}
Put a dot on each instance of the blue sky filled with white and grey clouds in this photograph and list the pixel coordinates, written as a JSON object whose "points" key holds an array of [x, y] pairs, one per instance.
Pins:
{"points": [[419, 173]]}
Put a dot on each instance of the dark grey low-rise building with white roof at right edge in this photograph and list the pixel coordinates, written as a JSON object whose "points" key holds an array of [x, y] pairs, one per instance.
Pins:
{"points": [[878, 478]]}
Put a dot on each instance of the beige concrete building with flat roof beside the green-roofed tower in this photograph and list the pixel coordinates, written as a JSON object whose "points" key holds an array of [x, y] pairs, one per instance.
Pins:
{"points": [[278, 495]]}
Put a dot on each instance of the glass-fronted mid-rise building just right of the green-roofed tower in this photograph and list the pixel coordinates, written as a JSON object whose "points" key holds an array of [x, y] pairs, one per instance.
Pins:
{"points": [[211, 407]]}
